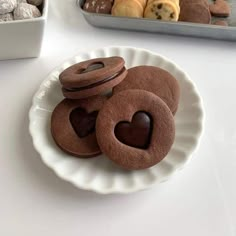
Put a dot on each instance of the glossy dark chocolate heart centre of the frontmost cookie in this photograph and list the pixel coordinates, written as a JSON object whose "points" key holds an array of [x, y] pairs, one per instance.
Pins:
{"points": [[136, 133]]}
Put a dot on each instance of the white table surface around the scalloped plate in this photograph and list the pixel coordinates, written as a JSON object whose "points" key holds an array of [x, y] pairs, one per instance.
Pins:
{"points": [[199, 200]]}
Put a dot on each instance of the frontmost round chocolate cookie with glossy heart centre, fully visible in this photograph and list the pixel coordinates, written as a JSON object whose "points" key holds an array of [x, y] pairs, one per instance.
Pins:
{"points": [[135, 129]]}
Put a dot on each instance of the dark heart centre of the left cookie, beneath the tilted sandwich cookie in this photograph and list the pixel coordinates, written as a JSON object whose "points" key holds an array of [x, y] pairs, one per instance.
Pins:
{"points": [[82, 122]]}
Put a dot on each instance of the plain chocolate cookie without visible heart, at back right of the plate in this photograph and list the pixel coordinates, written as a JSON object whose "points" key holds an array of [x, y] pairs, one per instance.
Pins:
{"points": [[155, 80]]}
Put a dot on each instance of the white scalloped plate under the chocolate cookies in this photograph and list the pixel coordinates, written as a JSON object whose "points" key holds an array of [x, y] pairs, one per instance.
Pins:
{"points": [[100, 174]]}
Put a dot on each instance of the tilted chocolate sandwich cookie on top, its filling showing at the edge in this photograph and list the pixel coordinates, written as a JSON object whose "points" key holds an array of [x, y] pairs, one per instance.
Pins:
{"points": [[92, 77]]}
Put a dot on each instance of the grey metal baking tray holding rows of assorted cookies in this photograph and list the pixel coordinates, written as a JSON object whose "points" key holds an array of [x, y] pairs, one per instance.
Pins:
{"points": [[165, 27]]}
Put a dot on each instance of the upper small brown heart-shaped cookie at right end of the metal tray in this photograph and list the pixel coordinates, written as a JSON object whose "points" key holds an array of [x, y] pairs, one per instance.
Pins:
{"points": [[220, 8]]}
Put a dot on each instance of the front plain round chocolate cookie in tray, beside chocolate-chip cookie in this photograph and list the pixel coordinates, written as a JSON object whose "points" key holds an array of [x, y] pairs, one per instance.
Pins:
{"points": [[195, 13]]}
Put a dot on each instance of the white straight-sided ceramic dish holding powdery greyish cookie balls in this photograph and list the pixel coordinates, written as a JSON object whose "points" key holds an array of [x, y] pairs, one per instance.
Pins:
{"points": [[22, 38]]}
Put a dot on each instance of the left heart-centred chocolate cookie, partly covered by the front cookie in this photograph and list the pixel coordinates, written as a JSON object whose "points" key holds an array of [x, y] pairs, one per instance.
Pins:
{"points": [[73, 126]]}
